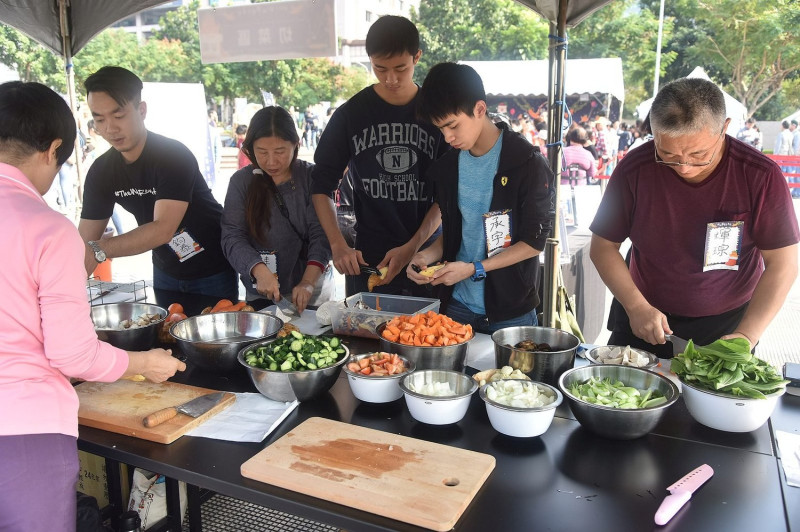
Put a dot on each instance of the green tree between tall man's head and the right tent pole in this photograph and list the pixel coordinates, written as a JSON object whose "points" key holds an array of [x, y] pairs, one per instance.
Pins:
{"points": [[456, 30]]}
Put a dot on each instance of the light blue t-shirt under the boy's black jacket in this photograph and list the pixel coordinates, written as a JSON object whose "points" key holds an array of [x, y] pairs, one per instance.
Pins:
{"points": [[475, 178]]}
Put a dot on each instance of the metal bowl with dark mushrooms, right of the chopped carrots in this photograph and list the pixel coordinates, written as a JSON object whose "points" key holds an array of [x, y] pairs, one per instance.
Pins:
{"points": [[541, 366]]}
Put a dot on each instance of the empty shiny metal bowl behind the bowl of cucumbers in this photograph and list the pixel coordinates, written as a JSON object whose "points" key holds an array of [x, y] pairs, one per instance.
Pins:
{"points": [[212, 341]]}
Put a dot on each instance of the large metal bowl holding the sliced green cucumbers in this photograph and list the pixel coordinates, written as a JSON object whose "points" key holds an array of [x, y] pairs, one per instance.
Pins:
{"points": [[288, 386]]}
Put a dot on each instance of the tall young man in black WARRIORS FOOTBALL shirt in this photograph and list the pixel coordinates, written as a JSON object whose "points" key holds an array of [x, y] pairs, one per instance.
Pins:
{"points": [[388, 151]]}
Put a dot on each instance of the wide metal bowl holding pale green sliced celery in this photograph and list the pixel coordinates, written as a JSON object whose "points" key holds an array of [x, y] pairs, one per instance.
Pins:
{"points": [[617, 423]]}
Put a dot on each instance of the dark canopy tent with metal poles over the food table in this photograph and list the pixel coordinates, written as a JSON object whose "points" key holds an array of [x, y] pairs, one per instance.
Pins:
{"points": [[65, 26]]}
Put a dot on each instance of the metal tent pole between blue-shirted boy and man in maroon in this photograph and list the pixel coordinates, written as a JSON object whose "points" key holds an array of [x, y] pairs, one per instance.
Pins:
{"points": [[556, 107]]}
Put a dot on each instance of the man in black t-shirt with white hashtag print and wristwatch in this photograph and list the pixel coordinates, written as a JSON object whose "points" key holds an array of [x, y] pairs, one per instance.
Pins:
{"points": [[157, 179]]}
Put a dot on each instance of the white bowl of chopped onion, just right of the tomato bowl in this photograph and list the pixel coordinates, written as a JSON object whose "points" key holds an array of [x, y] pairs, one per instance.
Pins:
{"points": [[438, 410]]}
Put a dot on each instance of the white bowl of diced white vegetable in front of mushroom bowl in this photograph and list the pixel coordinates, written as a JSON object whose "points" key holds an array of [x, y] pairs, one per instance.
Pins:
{"points": [[521, 422]]}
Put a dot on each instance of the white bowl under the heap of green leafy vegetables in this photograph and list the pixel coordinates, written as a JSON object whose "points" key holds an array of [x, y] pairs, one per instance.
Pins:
{"points": [[728, 412]]}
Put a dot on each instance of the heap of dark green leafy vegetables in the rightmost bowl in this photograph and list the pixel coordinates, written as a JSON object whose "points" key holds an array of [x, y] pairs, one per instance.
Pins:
{"points": [[727, 366]]}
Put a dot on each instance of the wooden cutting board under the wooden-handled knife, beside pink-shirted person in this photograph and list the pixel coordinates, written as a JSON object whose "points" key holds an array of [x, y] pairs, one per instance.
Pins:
{"points": [[120, 407]]}
